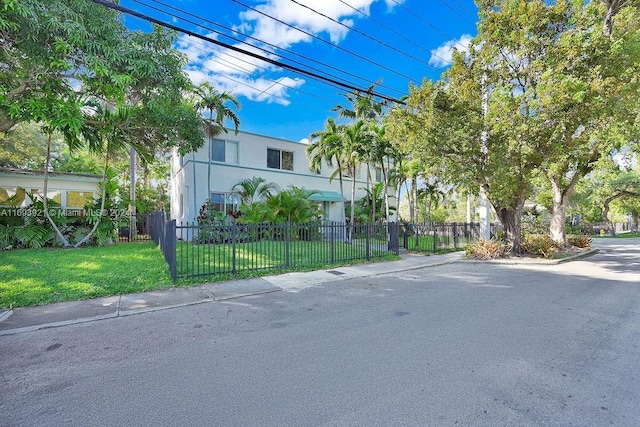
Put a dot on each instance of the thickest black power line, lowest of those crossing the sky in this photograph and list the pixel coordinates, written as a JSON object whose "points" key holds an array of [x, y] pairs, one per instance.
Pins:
{"points": [[125, 10]]}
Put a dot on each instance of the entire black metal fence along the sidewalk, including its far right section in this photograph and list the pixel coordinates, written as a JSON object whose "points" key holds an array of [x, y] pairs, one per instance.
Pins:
{"points": [[211, 249]]}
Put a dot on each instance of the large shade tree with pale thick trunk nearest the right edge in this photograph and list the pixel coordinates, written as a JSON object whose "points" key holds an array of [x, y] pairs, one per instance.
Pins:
{"points": [[588, 97]]}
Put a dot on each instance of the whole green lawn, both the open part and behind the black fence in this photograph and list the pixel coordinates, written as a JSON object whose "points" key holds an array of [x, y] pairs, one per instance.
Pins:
{"points": [[42, 276]]}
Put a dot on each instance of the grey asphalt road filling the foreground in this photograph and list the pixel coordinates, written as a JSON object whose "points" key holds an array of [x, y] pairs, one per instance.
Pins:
{"points": [[460, 344]]}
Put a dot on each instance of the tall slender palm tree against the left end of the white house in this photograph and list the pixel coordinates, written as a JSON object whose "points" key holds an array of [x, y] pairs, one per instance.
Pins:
{"points": [[214, 102]]}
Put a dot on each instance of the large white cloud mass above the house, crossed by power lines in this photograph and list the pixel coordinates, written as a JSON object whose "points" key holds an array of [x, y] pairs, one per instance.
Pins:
{"points": [[258, 80]]}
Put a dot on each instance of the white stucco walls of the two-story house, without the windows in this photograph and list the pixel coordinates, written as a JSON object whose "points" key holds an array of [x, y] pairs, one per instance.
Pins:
{"points": [[189, 174]]}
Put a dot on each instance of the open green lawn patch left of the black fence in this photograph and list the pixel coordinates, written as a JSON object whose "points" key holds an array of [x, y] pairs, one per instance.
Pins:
{"points": [[41, 276]]}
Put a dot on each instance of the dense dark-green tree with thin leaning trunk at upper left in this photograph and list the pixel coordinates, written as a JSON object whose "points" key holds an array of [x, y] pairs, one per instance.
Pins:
{"points": [[73, 67]]}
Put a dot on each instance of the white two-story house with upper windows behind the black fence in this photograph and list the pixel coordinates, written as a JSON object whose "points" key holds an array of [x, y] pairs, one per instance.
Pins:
{"points": [[235, 157]]}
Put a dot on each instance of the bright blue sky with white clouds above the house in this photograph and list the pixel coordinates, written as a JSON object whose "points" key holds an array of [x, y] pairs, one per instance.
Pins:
{"points": [[397, 42]]}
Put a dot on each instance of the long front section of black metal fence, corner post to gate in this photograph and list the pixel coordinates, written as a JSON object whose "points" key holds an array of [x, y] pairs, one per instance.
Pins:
{"points": [[215, 249]]}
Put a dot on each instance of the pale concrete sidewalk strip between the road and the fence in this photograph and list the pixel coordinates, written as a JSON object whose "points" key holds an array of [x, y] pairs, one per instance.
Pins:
{"points": [[27, 319]]}
